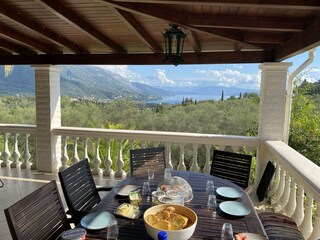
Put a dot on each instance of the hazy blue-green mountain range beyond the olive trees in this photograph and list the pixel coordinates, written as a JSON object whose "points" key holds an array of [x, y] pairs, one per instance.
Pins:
{"points": [[99, 84]]}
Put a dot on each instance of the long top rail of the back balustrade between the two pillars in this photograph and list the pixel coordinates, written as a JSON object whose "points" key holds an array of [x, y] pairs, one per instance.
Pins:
{"points": [[159, 136]]}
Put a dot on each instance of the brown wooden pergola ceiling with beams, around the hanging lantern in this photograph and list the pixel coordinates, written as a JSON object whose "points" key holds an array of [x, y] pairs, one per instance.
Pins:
{"points": [[130, 32]]}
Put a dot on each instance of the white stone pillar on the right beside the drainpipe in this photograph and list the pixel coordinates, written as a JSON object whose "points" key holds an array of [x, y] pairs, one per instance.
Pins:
{"points": [[273, 108]]}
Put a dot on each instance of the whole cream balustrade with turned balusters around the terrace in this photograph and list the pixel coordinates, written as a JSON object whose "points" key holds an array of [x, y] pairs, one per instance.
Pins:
{"points": [[295, 189]]}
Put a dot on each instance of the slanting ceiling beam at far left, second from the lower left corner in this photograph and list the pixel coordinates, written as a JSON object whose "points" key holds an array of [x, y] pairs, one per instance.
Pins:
{"points": [[26, 40]]}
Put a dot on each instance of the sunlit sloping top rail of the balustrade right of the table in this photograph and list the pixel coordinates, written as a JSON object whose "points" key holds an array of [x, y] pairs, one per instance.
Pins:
{"points": [[303, 170]]}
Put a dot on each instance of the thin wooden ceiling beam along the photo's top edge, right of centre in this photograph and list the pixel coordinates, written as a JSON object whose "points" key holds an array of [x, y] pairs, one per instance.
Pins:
{"points": [[288, 4]]}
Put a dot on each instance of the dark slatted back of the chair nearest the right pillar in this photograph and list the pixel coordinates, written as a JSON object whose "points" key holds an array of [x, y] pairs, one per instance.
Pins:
{"points": [[232, 166]]}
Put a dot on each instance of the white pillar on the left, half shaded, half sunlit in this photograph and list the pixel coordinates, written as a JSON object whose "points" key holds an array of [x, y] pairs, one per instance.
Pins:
{"points": [[48, 116]]}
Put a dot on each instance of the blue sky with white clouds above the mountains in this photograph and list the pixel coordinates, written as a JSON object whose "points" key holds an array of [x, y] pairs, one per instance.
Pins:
{"points": [[227, 75]]}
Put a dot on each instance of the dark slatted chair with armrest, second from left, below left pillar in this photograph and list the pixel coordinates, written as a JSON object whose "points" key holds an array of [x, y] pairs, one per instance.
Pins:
{"points": [[79, 189]]}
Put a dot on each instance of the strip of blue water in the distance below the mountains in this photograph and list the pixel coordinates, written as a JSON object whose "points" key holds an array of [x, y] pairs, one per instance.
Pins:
{"points": [[177, 99]]}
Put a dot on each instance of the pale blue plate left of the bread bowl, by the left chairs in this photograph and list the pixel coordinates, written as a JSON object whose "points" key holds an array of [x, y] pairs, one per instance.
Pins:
{"points": [[96, 220]]}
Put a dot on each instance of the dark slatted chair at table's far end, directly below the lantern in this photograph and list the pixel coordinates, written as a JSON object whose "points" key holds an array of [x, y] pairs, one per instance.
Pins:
{"points": [[144, 158]]}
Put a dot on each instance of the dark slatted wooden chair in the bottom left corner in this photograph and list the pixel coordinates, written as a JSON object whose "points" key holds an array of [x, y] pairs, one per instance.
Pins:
{"points": [[38, 216]]}
